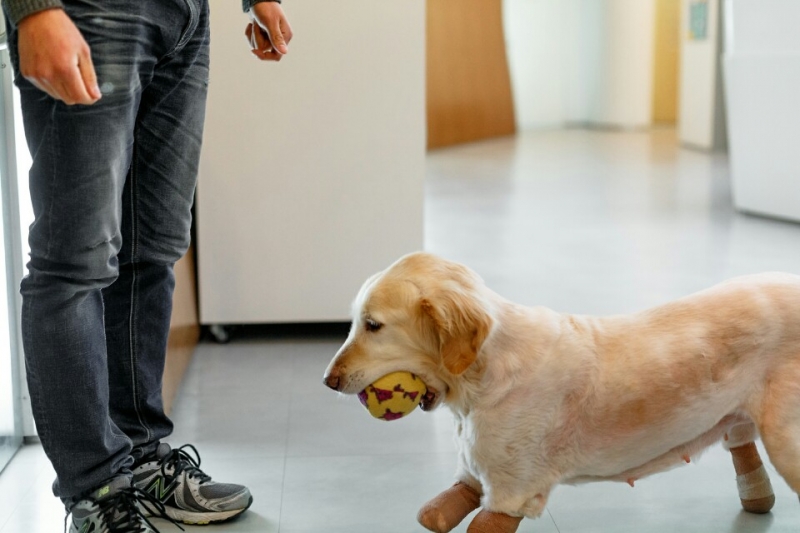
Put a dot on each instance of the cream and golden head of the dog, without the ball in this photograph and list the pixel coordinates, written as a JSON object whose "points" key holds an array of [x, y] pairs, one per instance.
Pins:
{"points": [[423, 315]]}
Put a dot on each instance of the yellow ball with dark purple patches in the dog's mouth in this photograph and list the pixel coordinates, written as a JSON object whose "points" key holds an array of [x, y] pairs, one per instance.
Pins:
{"points": [[393, 396]]}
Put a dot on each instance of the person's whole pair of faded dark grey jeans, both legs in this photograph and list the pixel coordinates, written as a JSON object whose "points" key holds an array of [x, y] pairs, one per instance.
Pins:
{"points": [[112, 186]]}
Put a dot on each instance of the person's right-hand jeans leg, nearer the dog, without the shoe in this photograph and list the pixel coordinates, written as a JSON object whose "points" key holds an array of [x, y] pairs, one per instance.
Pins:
{"points": [[156, 223]]}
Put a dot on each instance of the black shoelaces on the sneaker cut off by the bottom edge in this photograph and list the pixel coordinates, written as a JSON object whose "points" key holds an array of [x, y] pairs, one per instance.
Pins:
{"points": [[122, 513]]}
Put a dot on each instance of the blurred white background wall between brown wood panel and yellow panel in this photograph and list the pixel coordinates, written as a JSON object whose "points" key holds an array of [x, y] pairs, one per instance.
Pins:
{"points": [[581, 61]]}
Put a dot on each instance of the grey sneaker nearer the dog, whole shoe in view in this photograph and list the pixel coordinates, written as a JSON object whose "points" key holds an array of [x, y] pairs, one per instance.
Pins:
{"points": [[174, 478]]}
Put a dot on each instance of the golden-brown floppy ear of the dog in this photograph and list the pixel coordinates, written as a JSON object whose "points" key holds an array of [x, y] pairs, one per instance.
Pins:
{"points": [[460, 325]]}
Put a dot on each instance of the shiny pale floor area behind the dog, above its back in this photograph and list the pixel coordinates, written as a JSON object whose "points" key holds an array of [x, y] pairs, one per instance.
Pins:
{"points": [[596, 223]]}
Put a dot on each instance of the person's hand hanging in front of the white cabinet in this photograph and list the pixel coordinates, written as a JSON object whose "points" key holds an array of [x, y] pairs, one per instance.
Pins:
{"points": [[269, 32]]}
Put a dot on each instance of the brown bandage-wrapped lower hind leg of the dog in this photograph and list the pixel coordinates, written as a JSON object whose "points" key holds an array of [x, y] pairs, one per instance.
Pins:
{"points": [[755, 489]]}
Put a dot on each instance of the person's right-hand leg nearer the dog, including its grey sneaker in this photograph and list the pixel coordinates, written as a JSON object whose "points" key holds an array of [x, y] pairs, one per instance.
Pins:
{"points": [[156, 231]]}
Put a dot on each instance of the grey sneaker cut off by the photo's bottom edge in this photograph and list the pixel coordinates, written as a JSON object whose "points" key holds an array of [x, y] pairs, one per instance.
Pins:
{"points": [[112, 508]]}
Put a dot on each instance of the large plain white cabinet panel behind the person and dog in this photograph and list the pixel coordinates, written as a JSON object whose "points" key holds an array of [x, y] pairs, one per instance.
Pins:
{"points": [[312, 169]]}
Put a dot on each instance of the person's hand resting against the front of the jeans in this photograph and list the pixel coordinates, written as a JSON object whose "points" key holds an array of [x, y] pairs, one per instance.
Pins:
{"points": [[55, 58]]}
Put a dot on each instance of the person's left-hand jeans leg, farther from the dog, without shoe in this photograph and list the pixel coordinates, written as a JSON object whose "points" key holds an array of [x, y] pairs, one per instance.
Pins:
{"points": [[81, 155]]}
